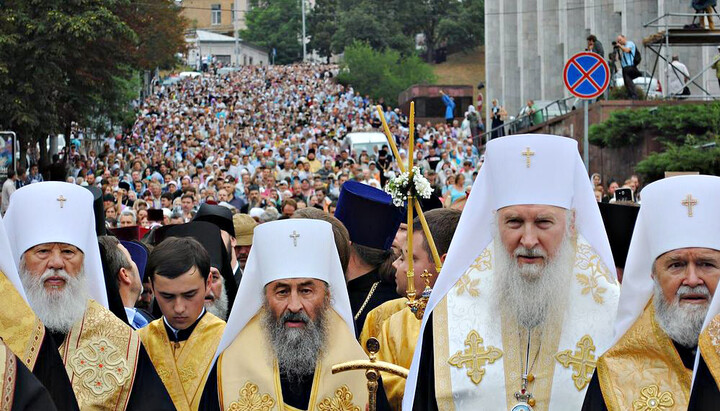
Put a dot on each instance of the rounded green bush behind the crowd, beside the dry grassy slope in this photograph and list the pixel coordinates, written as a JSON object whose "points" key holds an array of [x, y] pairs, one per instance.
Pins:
{"points": [[382, 73]]}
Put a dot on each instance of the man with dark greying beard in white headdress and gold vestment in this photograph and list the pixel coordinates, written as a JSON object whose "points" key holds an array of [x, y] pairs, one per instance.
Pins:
{"points": [[294, 325]]}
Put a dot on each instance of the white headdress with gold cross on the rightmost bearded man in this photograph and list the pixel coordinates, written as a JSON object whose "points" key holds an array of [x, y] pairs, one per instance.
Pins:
{"points": [[677, 212]]}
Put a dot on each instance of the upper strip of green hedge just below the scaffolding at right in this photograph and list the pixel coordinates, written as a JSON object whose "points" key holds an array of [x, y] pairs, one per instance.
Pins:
{"points": [[667, 124]]}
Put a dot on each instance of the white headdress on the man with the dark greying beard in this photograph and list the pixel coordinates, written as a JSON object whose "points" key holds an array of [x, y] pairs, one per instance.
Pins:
{"points": [[284, 249]]}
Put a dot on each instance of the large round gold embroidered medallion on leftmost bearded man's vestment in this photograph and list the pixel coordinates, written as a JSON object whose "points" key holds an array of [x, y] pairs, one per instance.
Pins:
{"points": [[100, 366]]}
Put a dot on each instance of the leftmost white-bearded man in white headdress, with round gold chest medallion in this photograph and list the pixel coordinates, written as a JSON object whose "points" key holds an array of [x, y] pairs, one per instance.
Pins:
{"points": [[51, 232]]}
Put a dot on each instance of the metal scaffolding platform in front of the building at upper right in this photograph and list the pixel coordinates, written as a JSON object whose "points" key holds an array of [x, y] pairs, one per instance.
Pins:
{"points": [[675, 34]]}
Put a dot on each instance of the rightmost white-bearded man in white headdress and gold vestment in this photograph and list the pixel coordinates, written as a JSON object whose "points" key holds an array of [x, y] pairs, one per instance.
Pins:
{"points": [[672, 272]]}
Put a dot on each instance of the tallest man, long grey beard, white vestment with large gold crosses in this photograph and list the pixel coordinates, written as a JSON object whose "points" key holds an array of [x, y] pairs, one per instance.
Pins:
{"points": [[526, 298]]}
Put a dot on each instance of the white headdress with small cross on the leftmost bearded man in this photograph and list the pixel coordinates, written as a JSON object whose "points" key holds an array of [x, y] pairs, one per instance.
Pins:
{"points": [[56, 212]]}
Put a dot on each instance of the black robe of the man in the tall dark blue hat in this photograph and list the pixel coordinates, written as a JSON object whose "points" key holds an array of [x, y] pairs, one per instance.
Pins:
{"points": [[359, 290]]}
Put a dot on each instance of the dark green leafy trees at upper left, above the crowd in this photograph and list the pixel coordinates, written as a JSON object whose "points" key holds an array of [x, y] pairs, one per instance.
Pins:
{"points": [[64, 62]]}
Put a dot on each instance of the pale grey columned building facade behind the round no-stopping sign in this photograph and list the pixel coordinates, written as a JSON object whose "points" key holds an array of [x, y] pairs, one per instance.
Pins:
{"points": [[528, 42]]}
